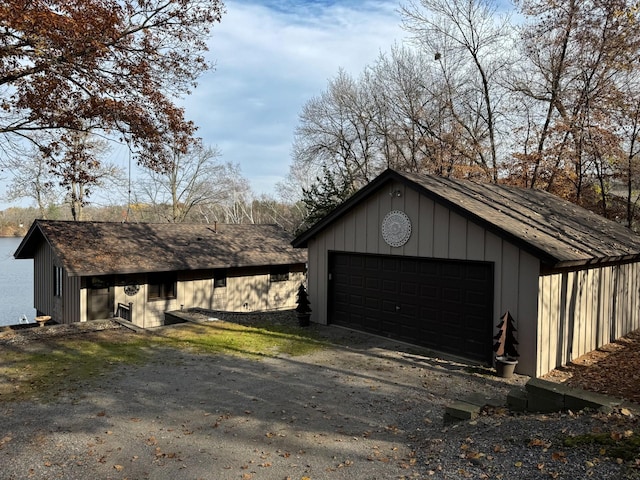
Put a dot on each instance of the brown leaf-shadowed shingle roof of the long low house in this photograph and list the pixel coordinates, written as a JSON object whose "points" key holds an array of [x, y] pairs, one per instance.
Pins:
{"points": [[100, 248]]}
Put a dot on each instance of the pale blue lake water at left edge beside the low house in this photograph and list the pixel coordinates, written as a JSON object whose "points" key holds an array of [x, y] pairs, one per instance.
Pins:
{"points": [[16, 284]]}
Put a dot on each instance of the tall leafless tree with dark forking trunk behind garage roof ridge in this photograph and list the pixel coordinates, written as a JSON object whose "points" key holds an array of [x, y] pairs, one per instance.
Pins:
{"points": [[469, 42]]}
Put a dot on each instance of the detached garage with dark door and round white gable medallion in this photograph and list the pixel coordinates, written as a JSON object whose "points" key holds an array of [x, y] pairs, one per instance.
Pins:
{"points": [[436, 262]]}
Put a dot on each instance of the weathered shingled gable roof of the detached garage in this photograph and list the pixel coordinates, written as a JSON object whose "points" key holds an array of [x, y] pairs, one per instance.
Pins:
{"points": [[559, 233]]}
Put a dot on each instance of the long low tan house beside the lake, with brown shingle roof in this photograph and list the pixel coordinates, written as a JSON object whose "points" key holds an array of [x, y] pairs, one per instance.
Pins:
{"points": [[139, 271]]}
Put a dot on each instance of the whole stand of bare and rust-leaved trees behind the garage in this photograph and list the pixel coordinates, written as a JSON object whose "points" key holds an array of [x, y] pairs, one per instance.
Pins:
{"points": [[550, 101]]}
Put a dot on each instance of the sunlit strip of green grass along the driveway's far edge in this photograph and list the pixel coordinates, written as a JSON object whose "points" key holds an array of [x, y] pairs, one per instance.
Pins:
{"points": [[56, 364]]}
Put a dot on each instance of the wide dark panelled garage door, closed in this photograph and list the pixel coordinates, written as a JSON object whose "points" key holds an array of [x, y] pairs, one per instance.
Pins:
{"points": [[443, 305]]}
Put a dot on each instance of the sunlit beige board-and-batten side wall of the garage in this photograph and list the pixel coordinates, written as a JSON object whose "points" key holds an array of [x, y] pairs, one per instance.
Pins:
{"points": [[582, 310]]}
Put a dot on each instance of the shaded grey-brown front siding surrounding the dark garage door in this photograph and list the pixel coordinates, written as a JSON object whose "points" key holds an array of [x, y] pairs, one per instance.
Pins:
{"points": [[437, 232]]}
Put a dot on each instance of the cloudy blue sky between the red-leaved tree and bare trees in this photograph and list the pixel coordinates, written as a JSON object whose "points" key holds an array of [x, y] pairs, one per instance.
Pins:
{"points": [[271, 57]]}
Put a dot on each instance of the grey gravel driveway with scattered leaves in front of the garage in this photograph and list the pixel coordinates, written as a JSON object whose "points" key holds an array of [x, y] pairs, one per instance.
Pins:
{"points": [[373, 410]]}
